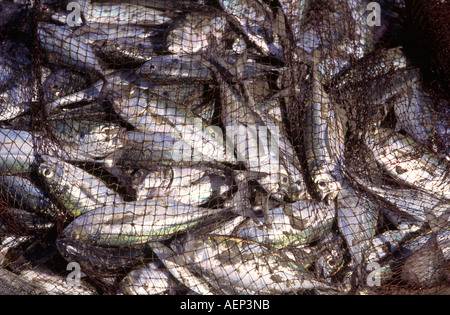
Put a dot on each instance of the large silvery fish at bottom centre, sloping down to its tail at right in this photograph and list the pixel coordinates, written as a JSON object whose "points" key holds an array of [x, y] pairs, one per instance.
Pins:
{"points": [[236, 266]]}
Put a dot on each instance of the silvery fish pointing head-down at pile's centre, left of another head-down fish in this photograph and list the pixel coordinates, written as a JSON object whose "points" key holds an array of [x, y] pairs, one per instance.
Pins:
{"points": [[255, 144]]}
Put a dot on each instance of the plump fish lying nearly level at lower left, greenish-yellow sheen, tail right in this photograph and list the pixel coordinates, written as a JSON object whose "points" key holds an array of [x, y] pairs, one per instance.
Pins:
{"points": [[136, 222]]}
